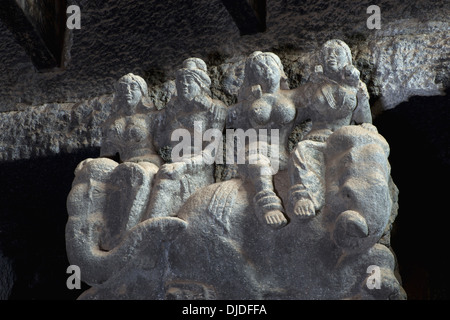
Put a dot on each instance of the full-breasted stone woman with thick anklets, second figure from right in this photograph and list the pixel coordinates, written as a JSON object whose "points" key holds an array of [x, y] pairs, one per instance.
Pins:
{"points": [[263, 107]]}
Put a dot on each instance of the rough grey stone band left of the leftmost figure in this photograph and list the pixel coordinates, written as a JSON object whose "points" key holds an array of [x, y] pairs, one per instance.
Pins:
{"points": [[53, 128]]}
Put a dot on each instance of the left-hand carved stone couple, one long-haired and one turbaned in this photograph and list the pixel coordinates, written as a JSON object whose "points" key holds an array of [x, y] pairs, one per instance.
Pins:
{"points": [[138, 185]]}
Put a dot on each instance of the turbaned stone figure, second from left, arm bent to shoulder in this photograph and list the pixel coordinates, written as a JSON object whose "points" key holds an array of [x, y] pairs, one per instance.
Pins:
{"points": [[190, 113]]}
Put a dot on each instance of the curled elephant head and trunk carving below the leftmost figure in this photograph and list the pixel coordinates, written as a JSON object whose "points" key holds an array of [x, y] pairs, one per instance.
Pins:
{"points": [[98, 208]]}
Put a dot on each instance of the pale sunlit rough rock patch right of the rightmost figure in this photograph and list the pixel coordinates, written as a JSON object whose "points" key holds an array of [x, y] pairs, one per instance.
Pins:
{"points": [[414, 68]]}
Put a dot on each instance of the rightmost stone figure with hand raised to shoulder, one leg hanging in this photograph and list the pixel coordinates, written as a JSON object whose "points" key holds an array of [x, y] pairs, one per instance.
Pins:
{"points": [[333, 99]]}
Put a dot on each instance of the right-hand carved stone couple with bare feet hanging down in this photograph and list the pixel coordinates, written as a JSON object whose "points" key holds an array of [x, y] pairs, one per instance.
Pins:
{"points": [[332, 99]]}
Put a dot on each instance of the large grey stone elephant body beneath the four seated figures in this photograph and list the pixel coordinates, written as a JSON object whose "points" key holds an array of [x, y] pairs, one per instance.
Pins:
{"points": [[218, 249]]}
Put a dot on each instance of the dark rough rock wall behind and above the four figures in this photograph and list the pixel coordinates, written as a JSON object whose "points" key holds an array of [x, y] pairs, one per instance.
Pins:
{"points": [[408, 56]]}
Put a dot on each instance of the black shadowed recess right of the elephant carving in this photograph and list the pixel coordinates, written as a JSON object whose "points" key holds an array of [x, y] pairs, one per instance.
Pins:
{"points": [[418, 134]]}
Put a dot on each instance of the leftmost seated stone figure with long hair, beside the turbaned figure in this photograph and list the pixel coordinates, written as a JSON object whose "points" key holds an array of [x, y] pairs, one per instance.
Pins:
{"points": [[128, 134]]}
